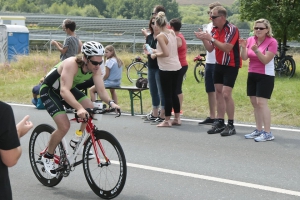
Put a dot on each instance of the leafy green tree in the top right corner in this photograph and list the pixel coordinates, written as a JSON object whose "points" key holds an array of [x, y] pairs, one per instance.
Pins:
{"points": [[283, 15]]}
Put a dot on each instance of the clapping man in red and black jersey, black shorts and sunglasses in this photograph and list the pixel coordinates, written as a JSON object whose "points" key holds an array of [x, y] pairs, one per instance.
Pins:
{"points": [[224, 38]]}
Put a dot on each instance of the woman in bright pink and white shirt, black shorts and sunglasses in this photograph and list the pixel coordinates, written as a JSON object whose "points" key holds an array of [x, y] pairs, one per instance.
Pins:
{"points": [[260, 49]]}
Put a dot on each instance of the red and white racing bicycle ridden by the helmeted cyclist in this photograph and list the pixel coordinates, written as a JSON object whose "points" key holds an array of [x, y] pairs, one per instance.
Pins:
{"points": [[105, 169]]}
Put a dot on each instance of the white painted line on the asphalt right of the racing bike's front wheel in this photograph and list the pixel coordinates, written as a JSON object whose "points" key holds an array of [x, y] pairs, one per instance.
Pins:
{"points": [[220, 180]]}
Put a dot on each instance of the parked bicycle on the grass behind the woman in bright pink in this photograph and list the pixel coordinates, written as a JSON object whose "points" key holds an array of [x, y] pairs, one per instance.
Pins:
{"points": [[285, 65]]}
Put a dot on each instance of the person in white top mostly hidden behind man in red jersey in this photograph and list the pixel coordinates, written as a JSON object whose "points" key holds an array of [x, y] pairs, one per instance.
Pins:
{"points": [[209, 75]]}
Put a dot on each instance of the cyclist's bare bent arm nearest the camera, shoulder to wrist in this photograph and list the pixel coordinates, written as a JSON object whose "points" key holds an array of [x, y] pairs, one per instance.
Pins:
{"points": [[69, 70]]}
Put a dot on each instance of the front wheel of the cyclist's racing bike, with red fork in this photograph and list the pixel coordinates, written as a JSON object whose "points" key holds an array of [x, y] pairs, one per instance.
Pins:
{"points": [[108, 179]]}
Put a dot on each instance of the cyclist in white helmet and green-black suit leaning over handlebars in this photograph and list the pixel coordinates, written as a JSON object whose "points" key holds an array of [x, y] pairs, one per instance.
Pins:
{"points": [[59, 84]]}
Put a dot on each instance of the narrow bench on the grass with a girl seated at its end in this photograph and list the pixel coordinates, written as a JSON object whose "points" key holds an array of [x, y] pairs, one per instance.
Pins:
{"points": [[134, 94]]}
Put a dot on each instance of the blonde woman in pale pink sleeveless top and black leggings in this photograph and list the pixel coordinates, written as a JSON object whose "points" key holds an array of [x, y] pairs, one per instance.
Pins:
{"points": [[169, 66]]}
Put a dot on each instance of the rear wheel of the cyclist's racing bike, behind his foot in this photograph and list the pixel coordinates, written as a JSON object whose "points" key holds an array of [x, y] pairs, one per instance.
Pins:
{"points": [[38, 142]]}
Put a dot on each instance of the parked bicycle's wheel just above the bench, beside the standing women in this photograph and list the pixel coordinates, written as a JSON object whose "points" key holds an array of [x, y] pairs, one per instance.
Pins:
{"points": [[136, 70]]}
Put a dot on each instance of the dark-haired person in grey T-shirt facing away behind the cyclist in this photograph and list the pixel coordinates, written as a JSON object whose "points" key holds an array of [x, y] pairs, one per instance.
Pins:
{"points": [[72, 44]]}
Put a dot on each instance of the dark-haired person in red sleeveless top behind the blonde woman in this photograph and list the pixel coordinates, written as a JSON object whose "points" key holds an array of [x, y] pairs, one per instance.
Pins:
{"points": [[175, 25]]}
